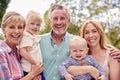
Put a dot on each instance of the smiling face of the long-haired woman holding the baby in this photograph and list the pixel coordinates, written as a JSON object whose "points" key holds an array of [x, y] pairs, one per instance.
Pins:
{"points": [[91, 35]]}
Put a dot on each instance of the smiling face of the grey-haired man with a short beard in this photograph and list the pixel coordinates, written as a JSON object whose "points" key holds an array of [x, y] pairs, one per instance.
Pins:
{"points": [[59, 21]]}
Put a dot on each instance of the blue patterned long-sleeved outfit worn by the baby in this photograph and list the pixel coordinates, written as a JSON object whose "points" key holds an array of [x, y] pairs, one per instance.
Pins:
{"points": [[89, 60]]}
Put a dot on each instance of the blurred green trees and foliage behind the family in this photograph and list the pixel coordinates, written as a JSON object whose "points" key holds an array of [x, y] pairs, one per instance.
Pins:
{"points": [[107, 12]]}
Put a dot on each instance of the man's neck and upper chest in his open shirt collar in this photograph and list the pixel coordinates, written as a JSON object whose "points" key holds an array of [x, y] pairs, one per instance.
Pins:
{"points": [[57, 38]]}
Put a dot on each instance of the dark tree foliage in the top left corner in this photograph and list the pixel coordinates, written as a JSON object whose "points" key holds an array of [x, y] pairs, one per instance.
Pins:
{"points": [[3, 7]]}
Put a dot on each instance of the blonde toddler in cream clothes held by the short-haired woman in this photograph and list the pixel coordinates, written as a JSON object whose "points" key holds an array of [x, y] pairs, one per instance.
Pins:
{"points": [[29, 45]]}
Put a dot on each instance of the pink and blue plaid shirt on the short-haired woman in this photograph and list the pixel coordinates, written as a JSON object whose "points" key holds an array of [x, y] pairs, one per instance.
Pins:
{"points": [[10, 68]]}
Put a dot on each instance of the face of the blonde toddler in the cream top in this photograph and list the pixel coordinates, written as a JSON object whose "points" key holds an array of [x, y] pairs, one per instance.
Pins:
{"points": [[33, 27]]}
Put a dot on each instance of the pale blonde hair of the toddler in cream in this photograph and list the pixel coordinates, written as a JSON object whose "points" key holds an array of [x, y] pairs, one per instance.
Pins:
{"points": [[32, 15]]}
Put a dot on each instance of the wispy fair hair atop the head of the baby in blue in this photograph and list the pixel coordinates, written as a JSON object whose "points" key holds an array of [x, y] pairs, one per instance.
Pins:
{"points": [[77, 40]]}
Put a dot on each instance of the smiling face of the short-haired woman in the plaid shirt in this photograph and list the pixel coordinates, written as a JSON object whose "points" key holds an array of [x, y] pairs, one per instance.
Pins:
{"points": [[13, 33]]}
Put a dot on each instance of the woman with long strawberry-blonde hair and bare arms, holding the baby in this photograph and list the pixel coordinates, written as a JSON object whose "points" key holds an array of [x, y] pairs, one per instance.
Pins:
{"points": [[95, 37]]}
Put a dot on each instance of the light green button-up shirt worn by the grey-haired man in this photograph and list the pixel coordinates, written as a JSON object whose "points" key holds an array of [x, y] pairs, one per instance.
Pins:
{"points": [[53, 55]]}
